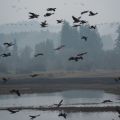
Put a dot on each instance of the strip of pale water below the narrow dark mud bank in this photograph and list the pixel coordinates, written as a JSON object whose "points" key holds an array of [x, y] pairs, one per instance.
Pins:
{"points": [[45, 115]]}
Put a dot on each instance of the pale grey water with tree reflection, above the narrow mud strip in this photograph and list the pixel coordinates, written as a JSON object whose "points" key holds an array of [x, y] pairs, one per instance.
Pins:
{"points": [[71, 98]]}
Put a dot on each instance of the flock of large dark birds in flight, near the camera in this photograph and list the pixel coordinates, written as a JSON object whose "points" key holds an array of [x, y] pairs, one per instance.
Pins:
{"points": [[77, 22]]}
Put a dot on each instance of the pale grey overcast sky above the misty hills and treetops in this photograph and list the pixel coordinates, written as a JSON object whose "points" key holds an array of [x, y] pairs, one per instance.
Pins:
{"points": [[12, 11]]}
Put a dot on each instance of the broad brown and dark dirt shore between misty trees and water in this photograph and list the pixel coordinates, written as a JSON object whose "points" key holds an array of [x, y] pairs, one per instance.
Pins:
{"points": [[53, 82]]}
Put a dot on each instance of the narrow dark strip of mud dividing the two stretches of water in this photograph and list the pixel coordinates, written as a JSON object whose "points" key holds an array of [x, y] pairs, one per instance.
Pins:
{"points": [[67, 109]]}
